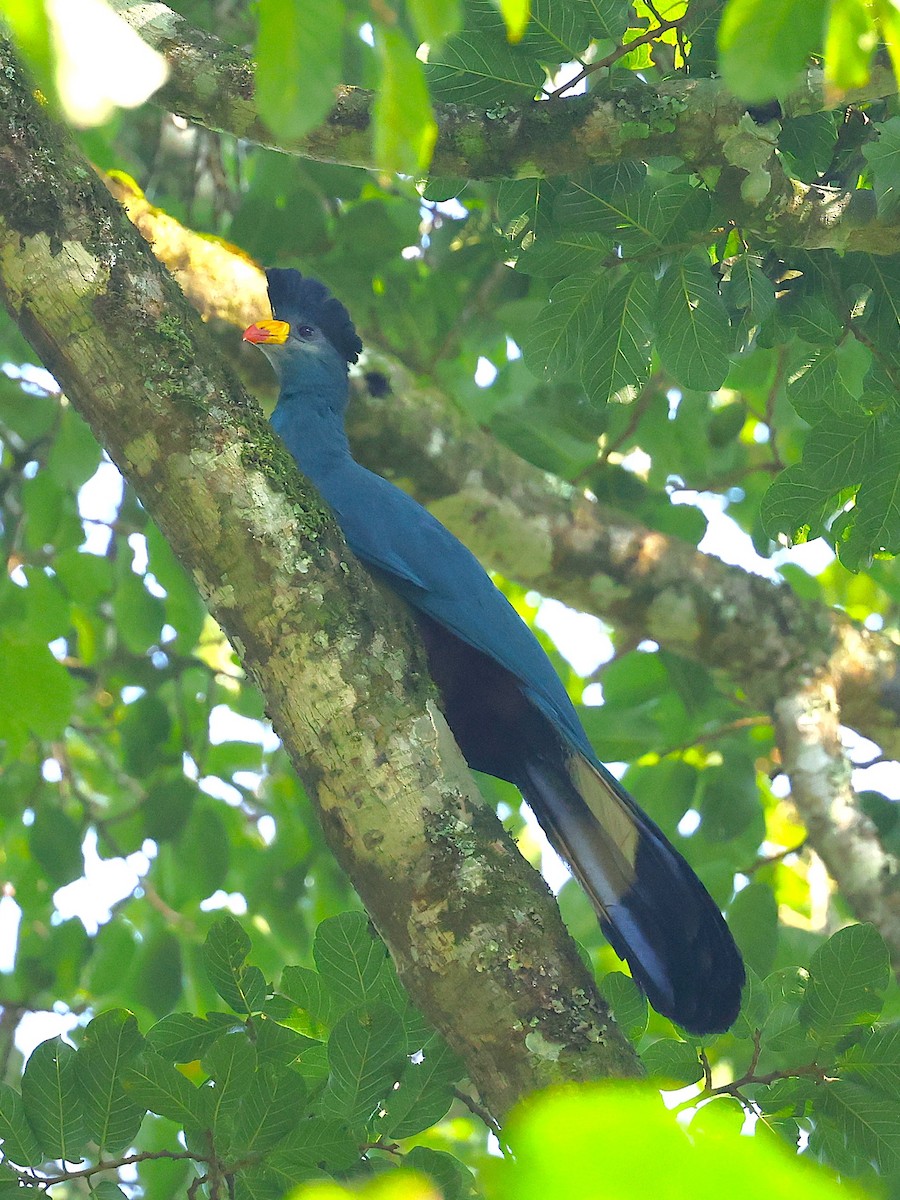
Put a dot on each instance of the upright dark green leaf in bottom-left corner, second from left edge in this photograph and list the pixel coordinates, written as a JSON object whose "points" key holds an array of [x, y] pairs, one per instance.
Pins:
{"points": [[50, 1090]]}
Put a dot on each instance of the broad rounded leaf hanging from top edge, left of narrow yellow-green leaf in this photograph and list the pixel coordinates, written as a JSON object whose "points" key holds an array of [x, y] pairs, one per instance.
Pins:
{"points": [[298, 63]]}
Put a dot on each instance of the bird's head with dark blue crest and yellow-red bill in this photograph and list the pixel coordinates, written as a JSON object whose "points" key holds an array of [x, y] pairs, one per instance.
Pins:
{"points": [[311, 333]]}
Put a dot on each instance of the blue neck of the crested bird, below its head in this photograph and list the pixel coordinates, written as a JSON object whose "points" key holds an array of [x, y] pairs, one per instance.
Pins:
{"points": [[309, 418]]}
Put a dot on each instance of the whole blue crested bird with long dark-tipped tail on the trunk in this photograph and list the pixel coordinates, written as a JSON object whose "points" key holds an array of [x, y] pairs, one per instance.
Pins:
{"points": [[509, 712]]}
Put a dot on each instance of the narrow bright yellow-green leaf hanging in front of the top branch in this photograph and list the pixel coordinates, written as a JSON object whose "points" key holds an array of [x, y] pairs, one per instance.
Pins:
{"points": [[405, 127]]}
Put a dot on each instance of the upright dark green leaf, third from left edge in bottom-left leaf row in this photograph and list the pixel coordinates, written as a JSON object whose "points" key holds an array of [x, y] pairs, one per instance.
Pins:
{"points": [[112, 1041]]}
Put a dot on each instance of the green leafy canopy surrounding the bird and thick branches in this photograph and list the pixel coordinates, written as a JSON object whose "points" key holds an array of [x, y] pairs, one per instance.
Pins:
{"points": [[278, 1047]]}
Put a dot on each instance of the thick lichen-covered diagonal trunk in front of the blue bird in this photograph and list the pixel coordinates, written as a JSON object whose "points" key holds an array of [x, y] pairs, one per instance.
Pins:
{"points": [[475, 933]]}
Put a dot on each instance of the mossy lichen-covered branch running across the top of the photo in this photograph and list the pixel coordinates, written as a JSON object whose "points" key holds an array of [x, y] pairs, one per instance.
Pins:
{"points": [[693, 118]]}
